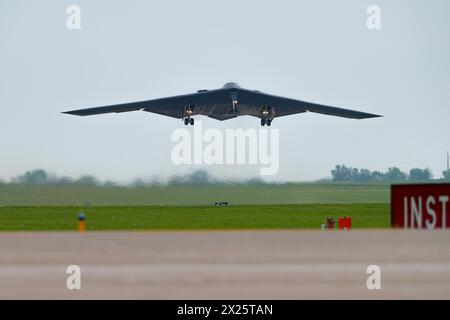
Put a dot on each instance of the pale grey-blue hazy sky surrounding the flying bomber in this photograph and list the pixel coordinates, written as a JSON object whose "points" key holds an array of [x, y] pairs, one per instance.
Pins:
{"points": [[318, 51]]}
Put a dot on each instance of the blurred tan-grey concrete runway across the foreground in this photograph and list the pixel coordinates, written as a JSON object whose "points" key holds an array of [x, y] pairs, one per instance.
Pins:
{"points": [[226, 265]]}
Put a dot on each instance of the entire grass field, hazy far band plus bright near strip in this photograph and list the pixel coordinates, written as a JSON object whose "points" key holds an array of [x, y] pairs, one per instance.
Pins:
{"points": [[187, 207]]}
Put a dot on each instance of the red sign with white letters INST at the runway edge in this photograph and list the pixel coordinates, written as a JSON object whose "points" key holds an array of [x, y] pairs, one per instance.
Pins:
{"points": [[424, 206]]}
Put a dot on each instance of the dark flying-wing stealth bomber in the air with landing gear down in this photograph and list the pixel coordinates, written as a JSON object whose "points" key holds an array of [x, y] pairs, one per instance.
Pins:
{"points": [[229, 102]]}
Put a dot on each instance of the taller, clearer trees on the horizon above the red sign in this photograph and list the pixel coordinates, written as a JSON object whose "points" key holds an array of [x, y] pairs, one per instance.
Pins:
{"points": [[393, 174]]}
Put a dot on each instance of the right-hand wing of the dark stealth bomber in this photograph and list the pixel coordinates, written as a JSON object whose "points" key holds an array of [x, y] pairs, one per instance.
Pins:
{"points": [[286, 106]]}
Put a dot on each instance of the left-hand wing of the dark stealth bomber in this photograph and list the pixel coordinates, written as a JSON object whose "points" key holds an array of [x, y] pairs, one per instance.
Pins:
{"points": [[171, 106]]}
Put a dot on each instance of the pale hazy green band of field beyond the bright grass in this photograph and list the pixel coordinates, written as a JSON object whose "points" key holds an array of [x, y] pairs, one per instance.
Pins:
{"points": [[173, 195]]}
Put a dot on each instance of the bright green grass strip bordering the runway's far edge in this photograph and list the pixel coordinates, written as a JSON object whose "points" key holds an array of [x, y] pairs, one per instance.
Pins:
{"points": [[191, 217]]}
